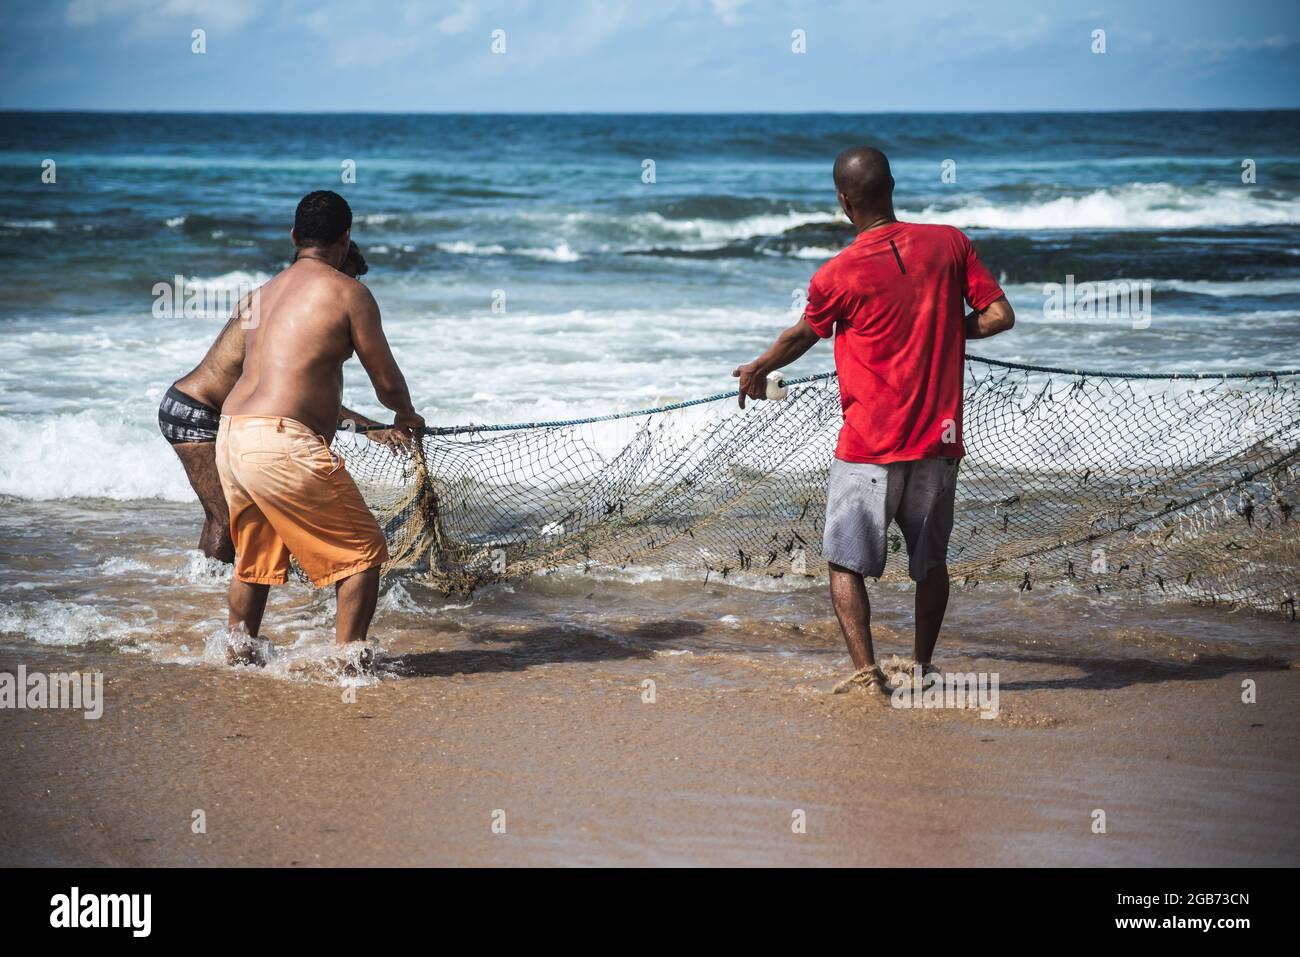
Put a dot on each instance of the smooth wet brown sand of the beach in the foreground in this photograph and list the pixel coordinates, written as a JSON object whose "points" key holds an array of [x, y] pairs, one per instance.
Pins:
{"points": [[547, 722]]}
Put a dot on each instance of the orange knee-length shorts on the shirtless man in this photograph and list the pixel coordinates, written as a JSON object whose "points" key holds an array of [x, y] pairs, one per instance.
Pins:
{"points": [[289, 493]]}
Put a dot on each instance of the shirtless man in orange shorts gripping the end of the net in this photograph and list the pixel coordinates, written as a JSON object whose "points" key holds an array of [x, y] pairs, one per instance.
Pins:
{"points": [[287, 491]]}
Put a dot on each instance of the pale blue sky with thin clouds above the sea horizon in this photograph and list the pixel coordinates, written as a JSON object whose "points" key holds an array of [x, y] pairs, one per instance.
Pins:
{"points": [[649, 55]]}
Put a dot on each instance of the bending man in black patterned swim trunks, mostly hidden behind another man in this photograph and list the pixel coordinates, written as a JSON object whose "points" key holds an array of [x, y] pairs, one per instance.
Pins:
{"points": [[189, 418]]}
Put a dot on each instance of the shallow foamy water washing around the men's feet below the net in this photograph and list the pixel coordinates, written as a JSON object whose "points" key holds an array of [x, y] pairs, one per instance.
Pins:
{"points": [[79, 578]]}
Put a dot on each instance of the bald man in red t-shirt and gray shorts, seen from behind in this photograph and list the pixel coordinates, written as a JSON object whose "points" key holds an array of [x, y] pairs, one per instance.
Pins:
{"points": [[895, 301]]}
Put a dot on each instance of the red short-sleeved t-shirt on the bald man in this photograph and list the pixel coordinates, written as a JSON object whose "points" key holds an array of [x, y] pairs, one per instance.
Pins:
{"points": [[895, 302]]}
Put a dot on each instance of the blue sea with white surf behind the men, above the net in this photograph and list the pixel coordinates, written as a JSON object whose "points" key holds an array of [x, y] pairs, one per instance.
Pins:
{"points": [[541, 267]]}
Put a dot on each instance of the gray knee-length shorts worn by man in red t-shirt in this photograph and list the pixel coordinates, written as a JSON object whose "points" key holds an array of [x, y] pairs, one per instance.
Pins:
{"points": [[863, 500]]}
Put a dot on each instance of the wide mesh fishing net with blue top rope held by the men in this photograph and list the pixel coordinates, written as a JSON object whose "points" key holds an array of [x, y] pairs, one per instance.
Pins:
{"points": [[1177, 486]]}
